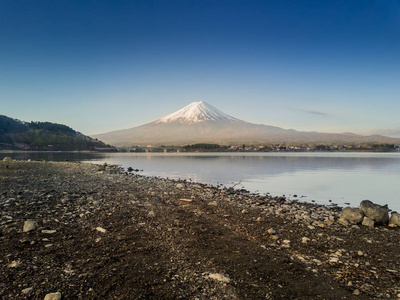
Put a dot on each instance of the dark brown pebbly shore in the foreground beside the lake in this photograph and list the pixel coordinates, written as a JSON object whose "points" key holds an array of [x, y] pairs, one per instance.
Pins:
{"points": [[83, 231]]}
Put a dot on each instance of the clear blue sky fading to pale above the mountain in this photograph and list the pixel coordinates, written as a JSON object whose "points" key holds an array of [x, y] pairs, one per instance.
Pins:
{"points": [[98, 66]]}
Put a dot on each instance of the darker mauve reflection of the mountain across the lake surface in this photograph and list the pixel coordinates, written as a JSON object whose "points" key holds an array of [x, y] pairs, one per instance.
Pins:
{"points": [[230, 167]]}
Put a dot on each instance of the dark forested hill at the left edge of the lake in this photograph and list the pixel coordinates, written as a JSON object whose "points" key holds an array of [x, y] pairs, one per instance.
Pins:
{"points": [[18, 135]]}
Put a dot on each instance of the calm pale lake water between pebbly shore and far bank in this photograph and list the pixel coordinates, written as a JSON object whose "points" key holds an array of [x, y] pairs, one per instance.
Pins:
{"points": [[320, 177]]}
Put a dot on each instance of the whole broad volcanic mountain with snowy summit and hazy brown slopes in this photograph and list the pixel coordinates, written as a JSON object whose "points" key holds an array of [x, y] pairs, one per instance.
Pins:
{"points": [[200, 122]]}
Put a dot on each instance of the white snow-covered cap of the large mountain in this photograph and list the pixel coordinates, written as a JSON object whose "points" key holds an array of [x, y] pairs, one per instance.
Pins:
{"points": [[197, 112]]}
